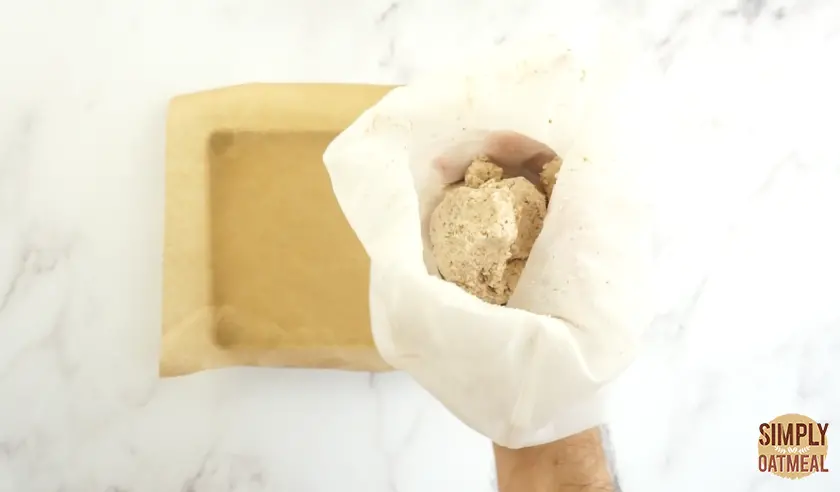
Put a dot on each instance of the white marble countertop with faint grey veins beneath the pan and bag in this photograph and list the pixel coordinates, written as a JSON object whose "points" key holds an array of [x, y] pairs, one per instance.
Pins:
{"points": [[750, 275]]}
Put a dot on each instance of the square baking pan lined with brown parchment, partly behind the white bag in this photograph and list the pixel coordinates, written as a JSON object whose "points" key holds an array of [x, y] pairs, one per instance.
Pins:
{"points": [[260, 266]]}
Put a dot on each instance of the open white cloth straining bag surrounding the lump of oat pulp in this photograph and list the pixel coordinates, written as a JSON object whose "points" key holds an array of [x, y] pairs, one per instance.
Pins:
{"points": [[535, 370]]}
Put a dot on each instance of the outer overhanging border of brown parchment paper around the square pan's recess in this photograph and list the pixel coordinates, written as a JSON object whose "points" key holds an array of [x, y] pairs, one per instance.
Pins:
{"points": [[187, 305]]}
